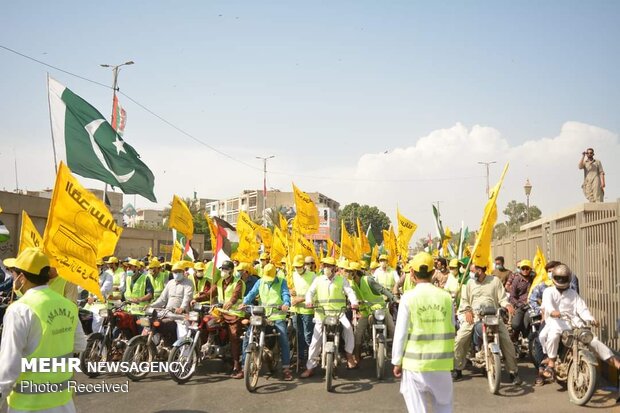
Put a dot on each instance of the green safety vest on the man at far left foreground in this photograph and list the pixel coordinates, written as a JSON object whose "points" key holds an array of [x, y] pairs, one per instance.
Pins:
{"points": [[58, 317]]}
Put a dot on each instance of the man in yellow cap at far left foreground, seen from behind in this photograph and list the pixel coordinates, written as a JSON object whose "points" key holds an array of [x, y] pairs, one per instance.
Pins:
{"points": [[41, 324]]}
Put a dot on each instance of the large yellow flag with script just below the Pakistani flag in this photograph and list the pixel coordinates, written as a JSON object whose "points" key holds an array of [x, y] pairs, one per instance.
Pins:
{"points": [[80, 229]]}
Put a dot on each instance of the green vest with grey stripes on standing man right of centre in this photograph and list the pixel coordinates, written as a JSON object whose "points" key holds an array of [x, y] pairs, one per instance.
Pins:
{"points": [[430, 344]]}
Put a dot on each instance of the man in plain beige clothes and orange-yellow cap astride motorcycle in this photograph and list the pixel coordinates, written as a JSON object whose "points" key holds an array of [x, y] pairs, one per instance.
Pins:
{"points": [[483, 291]]}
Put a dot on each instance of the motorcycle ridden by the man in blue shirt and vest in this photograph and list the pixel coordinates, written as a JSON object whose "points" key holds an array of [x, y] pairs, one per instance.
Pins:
{"points": [[262, 346]]}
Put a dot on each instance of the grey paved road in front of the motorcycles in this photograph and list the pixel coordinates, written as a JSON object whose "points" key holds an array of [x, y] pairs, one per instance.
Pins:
{"points": [[212, 391]]}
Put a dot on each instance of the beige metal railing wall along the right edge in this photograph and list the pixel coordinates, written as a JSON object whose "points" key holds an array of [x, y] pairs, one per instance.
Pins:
{"points": [[587, 239]]}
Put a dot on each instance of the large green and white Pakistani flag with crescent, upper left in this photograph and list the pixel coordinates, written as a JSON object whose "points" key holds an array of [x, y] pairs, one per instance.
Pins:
{"points": [[93, 149]]}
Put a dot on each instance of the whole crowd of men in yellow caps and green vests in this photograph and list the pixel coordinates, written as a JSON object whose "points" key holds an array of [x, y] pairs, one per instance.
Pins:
{"points": [[450, 289]]}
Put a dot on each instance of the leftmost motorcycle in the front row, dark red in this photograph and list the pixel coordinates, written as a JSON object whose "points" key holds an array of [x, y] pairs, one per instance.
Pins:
{"points": [[110, 342]]}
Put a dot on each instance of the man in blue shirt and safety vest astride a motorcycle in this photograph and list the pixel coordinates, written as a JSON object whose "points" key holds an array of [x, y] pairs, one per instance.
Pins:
{"points": [[273, 294]]}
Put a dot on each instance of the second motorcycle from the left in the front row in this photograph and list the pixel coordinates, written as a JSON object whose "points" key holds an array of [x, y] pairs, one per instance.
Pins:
{"points": [[149, 346]]}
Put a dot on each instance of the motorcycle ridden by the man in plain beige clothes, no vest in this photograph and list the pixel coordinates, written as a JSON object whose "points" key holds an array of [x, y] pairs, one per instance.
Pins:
{"points": [[489, 357]]}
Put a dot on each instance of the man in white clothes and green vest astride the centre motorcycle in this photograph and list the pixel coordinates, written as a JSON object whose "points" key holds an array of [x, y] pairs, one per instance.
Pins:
{"points": [[330, 292]]}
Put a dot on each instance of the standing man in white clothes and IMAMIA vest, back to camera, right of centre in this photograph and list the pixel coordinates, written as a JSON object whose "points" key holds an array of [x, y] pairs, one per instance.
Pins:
{"points": [[423, 347]]}
